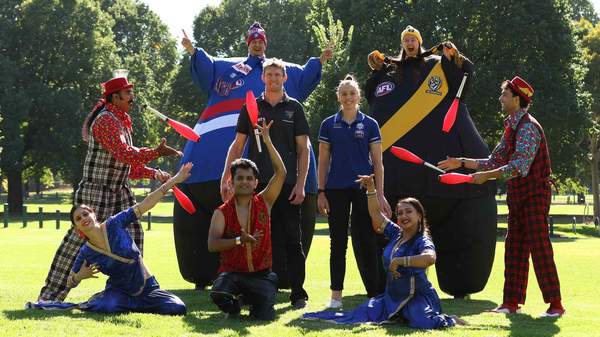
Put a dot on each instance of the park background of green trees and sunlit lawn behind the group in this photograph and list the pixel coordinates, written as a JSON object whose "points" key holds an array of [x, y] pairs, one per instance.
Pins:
{"points": [[54, 54]]}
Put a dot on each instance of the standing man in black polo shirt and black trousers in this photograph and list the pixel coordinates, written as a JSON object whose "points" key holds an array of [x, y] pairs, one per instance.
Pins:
{"points": [[289, 134]]}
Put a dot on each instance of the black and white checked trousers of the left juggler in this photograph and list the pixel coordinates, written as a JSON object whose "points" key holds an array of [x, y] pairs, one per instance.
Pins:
{"points": [[105, 202]]}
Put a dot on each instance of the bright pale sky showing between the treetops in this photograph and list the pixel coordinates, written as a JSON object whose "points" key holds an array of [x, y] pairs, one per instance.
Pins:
{"points": [[180, 14]]}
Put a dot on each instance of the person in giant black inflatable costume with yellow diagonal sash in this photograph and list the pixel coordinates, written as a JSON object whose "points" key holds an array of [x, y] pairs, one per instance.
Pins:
{"points": [[409, 97]]}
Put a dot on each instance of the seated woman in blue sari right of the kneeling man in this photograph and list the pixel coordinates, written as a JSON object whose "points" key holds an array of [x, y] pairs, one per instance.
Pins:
{"points": [[408, 296]]}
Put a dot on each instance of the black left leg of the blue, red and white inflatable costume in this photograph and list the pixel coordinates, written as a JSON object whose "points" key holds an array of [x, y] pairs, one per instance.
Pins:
{"points": [[196, 264]]}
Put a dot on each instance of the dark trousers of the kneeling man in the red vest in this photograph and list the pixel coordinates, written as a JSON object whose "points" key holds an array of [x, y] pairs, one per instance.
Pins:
{"points": [[257, 289]]}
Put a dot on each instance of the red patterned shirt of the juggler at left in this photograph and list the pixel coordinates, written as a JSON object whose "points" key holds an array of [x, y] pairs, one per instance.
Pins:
{"points": [[111, 131]]}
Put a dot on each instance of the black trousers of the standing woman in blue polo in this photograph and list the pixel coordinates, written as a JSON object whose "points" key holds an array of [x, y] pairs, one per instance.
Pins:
{"points": [[367, 244]]}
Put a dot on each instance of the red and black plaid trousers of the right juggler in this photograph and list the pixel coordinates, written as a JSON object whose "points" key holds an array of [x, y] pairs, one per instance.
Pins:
{"points": [[528, 235]]}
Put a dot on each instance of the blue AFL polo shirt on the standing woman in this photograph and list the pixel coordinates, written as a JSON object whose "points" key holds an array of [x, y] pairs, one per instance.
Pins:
{"points": [[349, 148]]}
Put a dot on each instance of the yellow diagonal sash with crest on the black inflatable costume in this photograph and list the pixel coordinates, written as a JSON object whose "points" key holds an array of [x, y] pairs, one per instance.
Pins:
{"points": [[429, 94]]}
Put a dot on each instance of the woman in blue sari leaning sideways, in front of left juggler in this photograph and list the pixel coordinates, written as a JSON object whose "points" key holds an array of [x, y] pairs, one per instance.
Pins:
{"points": [[109, 249]]}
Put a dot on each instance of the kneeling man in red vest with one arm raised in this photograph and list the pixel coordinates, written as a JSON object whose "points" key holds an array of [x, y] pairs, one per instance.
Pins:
{"points": [[240, 230]]}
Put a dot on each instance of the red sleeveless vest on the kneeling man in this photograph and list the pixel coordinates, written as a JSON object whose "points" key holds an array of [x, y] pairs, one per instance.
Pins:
{"points": [[247, 258]]}
